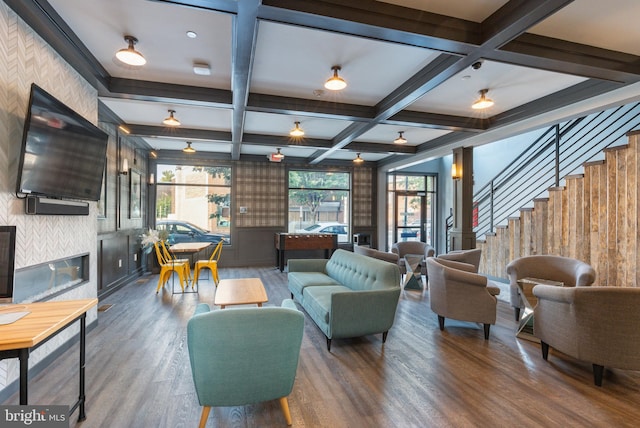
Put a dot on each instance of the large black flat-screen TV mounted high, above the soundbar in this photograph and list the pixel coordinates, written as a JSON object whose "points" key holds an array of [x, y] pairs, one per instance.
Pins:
{"points": [[63, 155]]}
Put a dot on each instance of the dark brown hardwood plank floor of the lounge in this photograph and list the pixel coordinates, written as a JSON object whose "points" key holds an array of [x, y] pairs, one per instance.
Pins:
{"points": [[138, 372]]}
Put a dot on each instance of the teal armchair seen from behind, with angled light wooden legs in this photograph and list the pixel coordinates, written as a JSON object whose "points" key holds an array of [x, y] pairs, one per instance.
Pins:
{"points": [[244, 355]]}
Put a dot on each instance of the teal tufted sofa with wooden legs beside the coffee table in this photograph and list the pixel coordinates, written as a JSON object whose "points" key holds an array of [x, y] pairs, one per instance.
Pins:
{"points": [[349, 295]]}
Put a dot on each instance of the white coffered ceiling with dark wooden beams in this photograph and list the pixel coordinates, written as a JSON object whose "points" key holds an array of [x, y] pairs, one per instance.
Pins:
{"points": [[409, 65]]}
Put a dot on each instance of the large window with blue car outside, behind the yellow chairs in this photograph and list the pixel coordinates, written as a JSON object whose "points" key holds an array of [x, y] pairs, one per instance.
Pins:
{"points": [[192, 202]]}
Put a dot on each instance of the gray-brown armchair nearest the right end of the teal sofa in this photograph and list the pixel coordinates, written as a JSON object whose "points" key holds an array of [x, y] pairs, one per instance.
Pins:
{"points": [[456, 292]]}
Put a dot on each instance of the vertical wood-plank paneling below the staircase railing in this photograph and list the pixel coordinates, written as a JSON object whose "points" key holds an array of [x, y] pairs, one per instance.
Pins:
{"points": [[594, 217]]}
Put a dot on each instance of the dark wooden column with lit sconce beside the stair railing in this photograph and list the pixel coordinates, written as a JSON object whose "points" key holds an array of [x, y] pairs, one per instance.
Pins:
{"points": [[462, 235]]}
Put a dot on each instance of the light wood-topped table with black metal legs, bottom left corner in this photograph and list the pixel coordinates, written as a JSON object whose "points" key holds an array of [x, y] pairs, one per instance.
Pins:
{"points": [[44, 321]]}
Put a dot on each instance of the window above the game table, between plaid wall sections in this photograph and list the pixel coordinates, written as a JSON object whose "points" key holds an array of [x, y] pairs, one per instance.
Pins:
{"points": [[319, 202]]}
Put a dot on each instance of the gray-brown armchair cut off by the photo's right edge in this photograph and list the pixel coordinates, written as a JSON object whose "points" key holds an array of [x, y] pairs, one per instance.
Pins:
{"points": [[594, 324]]}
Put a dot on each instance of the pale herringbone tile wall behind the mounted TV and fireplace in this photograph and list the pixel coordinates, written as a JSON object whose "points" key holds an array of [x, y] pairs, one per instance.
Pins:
{"points": [[25, 58]]}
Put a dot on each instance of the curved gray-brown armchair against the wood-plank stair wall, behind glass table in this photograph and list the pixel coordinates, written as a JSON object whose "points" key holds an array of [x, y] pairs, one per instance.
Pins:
{"points": [[571, 272]]}
